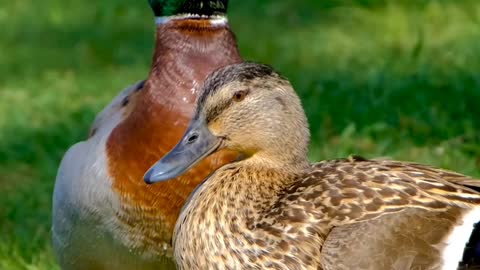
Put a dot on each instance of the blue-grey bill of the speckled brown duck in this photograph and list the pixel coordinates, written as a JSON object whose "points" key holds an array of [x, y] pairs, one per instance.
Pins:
{"points": [[197, 144]]}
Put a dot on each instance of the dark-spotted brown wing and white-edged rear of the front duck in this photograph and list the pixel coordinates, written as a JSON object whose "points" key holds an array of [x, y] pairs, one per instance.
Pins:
{"points": [[391, 215]]}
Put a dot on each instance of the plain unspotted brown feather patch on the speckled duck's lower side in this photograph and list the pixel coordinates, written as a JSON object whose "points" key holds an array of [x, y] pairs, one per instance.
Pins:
{"points": [[410, 239]]}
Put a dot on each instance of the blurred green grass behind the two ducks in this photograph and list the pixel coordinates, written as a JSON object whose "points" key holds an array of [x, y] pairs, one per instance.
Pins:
{"points": [[377, 78]]}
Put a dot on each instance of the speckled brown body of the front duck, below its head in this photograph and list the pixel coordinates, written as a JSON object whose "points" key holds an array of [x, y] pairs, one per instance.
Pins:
{"points": [[341, 214]]}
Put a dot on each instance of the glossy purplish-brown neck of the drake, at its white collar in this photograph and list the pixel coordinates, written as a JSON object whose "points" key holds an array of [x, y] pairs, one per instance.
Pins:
{"points": [[186, 51]]}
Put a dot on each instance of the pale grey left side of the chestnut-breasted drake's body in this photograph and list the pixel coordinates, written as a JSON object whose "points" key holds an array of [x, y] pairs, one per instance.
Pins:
{"points": [[86, 230]]}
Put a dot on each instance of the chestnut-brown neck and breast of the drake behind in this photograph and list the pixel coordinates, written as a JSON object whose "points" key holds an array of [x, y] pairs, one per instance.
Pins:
{"points": [[155, 119]]}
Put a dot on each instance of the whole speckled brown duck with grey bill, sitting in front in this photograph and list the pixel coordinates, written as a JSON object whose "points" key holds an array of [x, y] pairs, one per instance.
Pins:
{"points": [[272, 209]]}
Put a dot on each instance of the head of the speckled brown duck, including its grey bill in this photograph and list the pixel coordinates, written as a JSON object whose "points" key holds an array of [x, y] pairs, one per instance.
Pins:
{"points": [[248, 108]]}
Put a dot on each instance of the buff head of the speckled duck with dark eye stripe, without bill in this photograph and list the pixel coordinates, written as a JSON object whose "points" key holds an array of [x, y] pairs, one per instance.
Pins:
{"points": [[255, 112]]}
